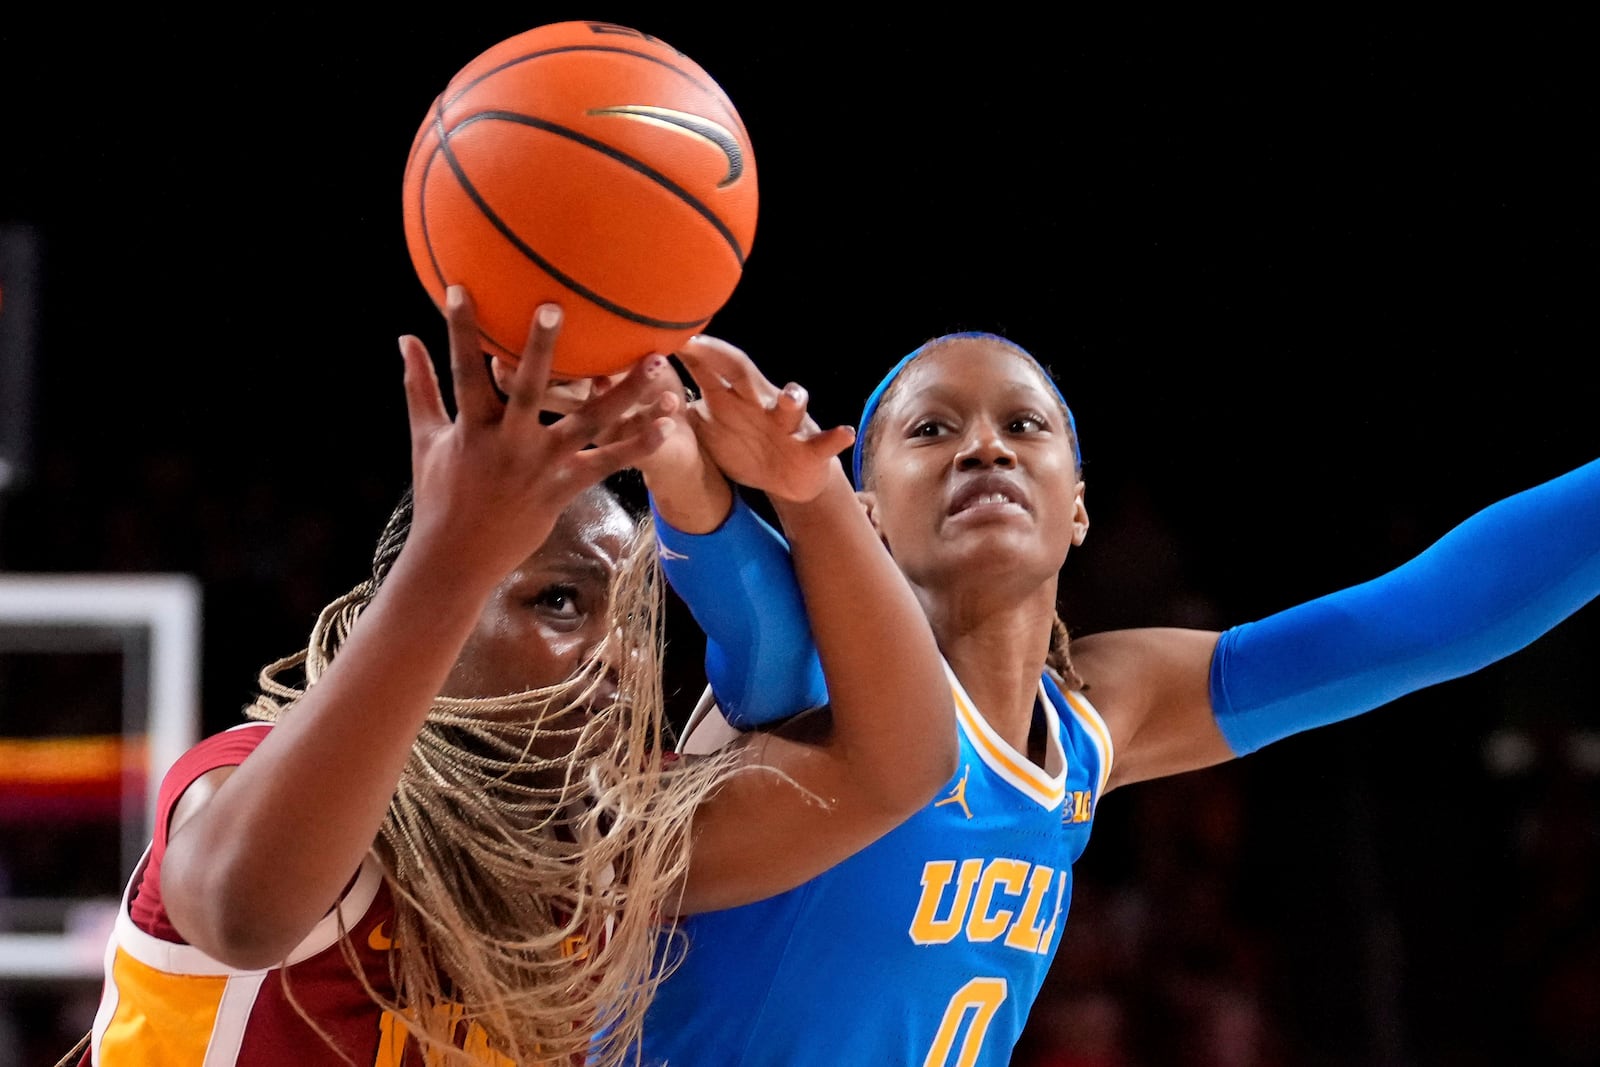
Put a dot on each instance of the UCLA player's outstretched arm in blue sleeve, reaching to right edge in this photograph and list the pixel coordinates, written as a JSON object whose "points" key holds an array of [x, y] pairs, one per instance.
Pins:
{"points": [[1484, 591]]}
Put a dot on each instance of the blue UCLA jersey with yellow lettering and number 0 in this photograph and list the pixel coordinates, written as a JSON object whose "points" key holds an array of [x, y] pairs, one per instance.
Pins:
{"points": [[926, 948]]}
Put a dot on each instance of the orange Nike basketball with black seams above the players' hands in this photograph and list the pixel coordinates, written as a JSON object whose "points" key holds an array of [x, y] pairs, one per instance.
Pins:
{"points": [[591, 166]]}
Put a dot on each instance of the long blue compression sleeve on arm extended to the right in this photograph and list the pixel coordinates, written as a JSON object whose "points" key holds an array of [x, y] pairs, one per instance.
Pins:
{"points": [[1484, 591]]}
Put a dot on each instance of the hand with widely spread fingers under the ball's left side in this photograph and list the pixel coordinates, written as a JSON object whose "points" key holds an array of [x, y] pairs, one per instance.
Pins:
{"points": [[494, 481]]}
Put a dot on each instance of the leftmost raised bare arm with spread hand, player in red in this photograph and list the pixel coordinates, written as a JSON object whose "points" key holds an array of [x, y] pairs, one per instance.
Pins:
{"points": [[262, 852]]}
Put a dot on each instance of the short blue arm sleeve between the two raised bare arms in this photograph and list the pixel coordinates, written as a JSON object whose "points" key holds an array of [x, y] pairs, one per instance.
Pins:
{"points": [[740, 586]]}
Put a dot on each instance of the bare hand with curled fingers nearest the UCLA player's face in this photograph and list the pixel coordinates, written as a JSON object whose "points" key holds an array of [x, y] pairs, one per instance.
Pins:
{"points": [[761, 436]]}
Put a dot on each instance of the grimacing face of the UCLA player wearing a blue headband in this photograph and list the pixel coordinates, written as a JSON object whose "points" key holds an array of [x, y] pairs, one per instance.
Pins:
{"points": [[972, 471]]}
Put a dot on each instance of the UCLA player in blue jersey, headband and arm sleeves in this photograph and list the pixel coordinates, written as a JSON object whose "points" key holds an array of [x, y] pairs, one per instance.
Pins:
{"points": [[929, 945]]}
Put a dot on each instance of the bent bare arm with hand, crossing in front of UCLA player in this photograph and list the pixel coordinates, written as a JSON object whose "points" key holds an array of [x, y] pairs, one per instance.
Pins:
{"points": [[828, 785]]}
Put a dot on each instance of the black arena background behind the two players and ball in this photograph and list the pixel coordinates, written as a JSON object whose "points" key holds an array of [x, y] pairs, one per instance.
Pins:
{"points": [[1316, 289]]}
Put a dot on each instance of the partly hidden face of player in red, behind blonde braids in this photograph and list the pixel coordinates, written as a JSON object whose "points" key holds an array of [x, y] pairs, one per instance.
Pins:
{"points": [[550, 613]]}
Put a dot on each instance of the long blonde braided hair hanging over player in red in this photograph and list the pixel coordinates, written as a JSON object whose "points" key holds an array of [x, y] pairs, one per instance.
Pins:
{"points": [[529, 890]]}
